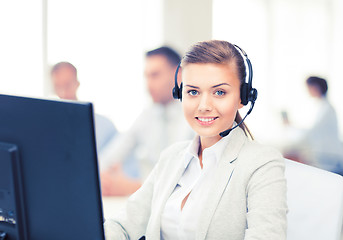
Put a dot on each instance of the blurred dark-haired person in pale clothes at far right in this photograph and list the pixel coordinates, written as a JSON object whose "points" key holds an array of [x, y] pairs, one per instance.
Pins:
{"points": [[319, 145]]}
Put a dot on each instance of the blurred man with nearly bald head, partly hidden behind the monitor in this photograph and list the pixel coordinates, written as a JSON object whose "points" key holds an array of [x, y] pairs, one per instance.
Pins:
{"points": [[66, 84]]}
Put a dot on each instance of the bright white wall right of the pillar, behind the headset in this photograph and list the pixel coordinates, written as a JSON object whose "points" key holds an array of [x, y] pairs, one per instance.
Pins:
{"points": [[286, 41]]}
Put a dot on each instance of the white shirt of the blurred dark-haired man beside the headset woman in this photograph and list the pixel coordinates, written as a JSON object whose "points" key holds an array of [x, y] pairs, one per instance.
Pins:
{"points": [[155, 129]]}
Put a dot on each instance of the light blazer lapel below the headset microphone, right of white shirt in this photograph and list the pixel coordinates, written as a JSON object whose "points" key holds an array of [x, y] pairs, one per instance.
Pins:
{"points": [[221, 180]]}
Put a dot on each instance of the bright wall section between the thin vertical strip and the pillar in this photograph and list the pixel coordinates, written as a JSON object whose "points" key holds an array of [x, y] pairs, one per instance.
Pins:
{"points": [[106, 41]]}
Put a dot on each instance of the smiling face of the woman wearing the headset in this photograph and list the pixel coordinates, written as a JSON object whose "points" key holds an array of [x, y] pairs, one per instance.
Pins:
{"points": [[210, 98]]}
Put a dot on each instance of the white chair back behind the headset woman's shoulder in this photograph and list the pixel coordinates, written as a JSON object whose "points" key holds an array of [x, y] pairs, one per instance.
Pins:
{"points": [[315, 203]]}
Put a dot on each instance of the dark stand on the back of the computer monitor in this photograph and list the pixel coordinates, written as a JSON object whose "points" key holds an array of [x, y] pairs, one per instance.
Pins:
{"points": [[12, 218]]}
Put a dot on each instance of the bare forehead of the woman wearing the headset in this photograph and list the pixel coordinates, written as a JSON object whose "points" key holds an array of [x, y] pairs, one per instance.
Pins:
{"points": [[210, 74]]}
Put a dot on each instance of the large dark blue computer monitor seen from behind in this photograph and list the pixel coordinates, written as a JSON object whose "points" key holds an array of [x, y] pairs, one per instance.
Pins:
{"points": [[49, 180]]}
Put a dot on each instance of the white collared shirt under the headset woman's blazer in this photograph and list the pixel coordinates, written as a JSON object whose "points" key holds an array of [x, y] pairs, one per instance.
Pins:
{"points": [[181, 224]]}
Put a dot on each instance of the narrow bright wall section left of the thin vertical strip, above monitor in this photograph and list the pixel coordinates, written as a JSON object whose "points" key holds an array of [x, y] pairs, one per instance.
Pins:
{"points": [[21, 65]]}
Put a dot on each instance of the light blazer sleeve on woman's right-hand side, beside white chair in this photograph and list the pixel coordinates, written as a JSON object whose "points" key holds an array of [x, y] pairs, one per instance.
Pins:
{"points": [[267, 203]]}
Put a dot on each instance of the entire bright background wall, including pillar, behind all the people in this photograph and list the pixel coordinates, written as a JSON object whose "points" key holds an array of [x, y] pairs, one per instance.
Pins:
{"points": [[286, 40]]}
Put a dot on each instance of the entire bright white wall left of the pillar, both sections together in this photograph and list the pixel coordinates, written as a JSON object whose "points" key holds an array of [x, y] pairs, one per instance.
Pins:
{"points": [[105, 40]]}
